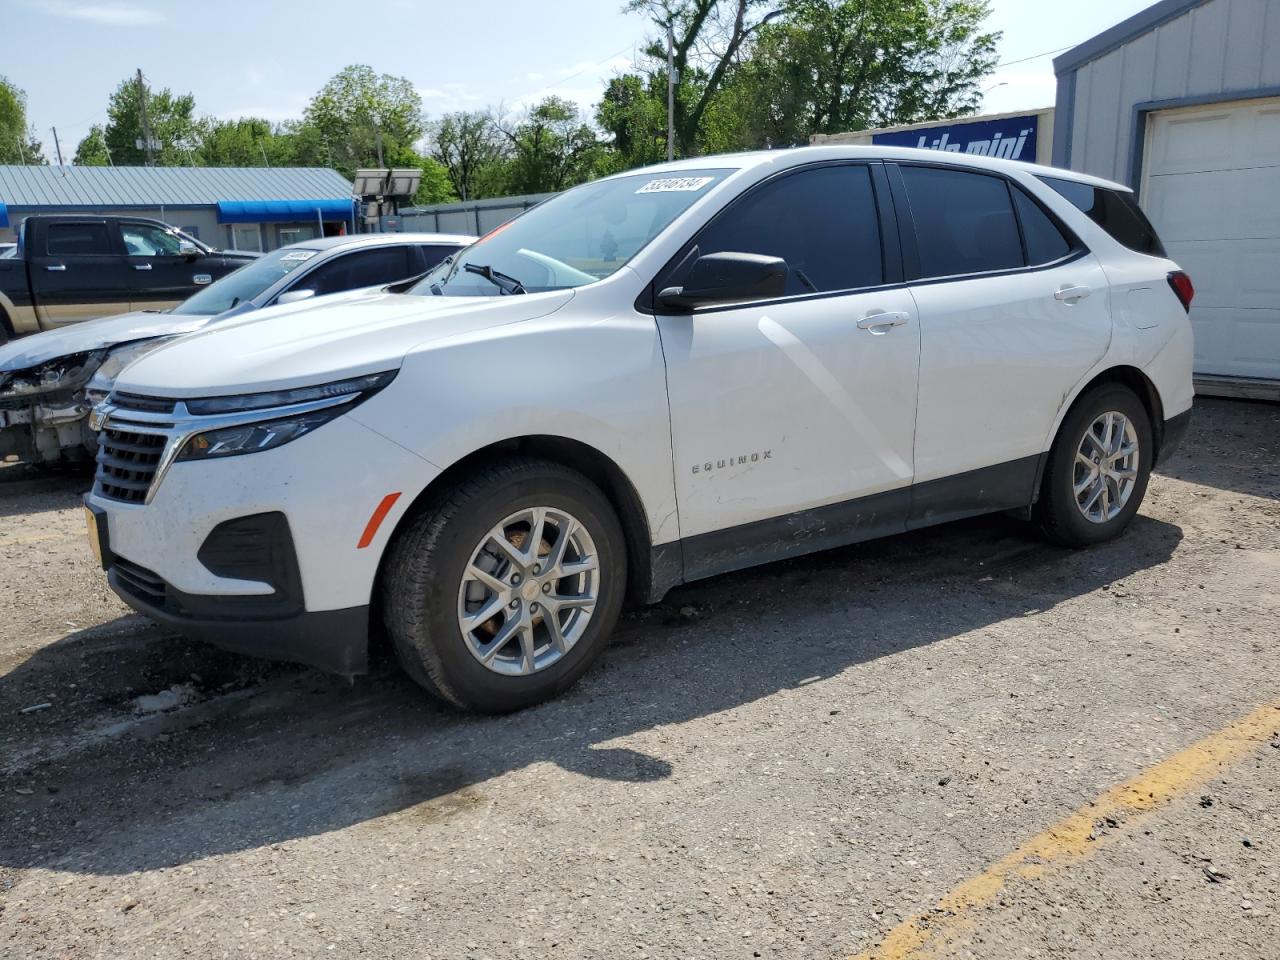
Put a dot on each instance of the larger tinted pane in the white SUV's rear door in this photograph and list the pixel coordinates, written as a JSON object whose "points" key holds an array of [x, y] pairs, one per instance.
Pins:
{"points": [[964, 222]]}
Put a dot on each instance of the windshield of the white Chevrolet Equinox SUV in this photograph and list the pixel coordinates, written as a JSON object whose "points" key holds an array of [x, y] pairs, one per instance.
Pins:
{"points": [[575, 239]]}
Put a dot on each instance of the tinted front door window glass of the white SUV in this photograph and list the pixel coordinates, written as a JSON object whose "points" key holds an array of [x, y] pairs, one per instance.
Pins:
{"points": [[822, 222]]}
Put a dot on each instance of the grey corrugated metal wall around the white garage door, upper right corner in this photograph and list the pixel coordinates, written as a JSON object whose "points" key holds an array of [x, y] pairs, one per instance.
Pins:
{"points": [[1214, 49]]}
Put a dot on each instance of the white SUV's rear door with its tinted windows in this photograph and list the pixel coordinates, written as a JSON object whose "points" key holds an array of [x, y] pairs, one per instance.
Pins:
{"points": [[1013, 313]]}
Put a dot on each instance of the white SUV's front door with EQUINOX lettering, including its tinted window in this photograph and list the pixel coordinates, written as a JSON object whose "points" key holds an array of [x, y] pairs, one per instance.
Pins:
{"points": [[793, 419]]}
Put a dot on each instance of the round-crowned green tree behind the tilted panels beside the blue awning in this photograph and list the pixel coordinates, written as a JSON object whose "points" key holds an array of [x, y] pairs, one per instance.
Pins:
{"points": [[354, 111]]}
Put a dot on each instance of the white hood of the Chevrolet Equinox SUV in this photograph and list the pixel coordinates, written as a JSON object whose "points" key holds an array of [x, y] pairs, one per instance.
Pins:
{"points": [[300, 345]]}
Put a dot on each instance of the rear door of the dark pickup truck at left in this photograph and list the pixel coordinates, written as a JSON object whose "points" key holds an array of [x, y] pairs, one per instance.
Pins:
{"points": [[80, 272]]}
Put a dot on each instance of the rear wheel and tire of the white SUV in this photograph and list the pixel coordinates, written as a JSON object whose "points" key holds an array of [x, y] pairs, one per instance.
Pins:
{"points": [[1098, 470]]}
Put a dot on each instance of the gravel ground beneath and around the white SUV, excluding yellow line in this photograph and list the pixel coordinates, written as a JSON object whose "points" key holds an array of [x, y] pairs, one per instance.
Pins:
{"points": [[784, 764]]}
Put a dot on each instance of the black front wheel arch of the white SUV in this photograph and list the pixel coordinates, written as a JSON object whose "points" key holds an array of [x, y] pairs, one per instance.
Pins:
{"points": [[647, 578]]}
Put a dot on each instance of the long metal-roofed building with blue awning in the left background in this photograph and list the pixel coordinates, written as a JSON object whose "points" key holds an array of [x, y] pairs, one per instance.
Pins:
{"points": [[241, 208]]}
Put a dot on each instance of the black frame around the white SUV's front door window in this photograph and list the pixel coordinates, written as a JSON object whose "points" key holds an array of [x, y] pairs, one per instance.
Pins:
{"points": [[892, 249]]}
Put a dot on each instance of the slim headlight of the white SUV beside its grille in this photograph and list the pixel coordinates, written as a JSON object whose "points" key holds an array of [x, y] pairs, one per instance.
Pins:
{"points": [[322, 405]]}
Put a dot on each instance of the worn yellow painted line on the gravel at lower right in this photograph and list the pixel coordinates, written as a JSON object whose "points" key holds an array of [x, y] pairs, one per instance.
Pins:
{"points": [[1069, 840]]}
